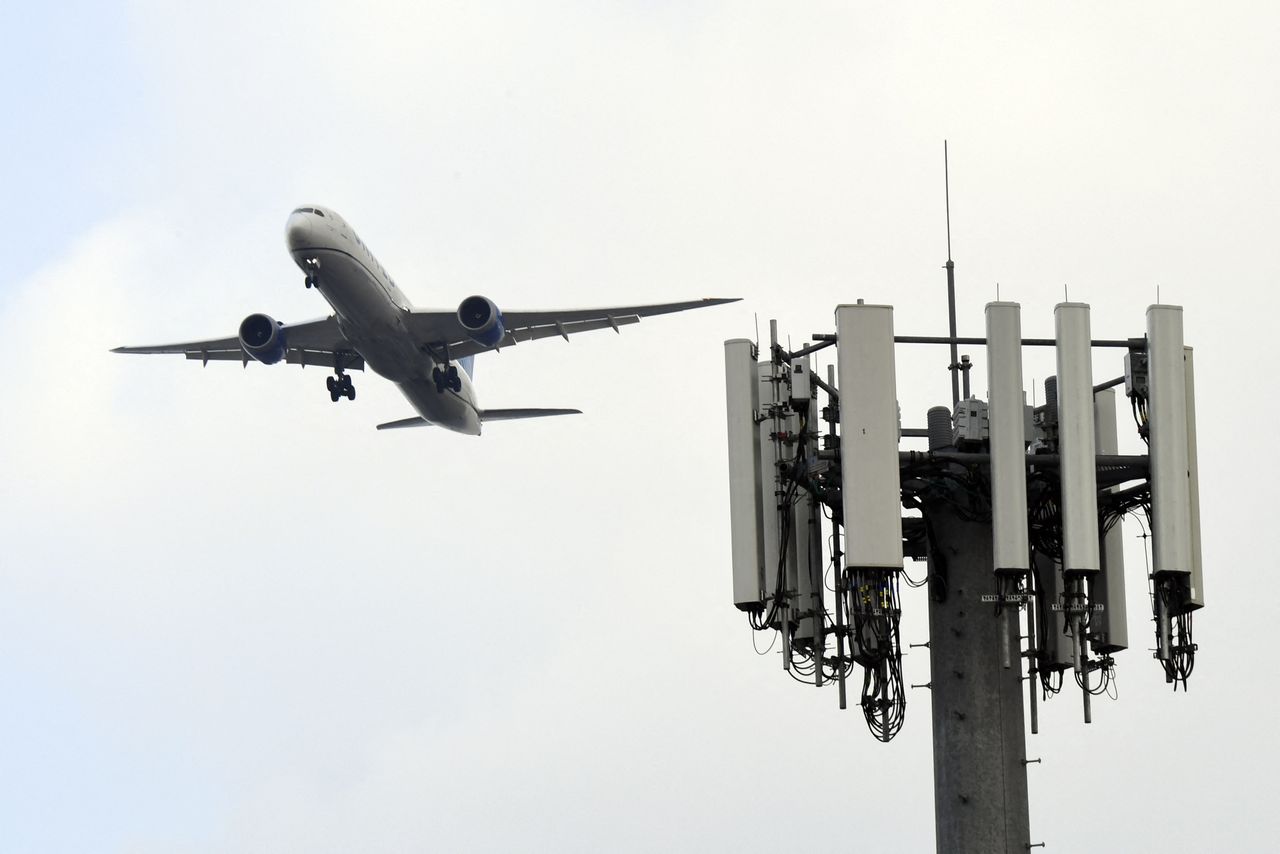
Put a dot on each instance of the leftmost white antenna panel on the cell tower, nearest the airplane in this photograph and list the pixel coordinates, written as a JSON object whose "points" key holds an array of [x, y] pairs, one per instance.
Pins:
{"points": [[743, 403]]}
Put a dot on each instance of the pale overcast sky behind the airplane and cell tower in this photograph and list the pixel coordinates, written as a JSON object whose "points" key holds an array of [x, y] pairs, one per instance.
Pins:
{"points": [[235, 618]]}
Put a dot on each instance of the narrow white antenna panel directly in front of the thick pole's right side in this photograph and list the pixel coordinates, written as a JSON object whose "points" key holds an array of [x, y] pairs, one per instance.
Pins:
{"points": [[1007, 417]]}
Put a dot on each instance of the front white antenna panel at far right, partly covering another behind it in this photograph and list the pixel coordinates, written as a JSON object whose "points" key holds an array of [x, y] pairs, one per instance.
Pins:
{"points": [[1167, 422]]}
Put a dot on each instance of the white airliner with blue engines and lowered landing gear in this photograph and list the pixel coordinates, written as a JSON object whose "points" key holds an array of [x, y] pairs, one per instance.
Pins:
{"points": [[374, 326]]}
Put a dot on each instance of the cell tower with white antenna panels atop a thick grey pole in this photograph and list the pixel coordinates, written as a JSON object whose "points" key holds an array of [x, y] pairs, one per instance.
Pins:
{"points": [[1017, 510]]}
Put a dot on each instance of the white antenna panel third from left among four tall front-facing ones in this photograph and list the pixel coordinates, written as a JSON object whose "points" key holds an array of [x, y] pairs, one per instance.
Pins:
{"points": [[1080, 499]]}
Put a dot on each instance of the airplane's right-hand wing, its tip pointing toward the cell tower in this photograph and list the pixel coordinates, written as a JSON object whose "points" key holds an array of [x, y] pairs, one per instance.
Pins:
{"points": [[437, 328]]}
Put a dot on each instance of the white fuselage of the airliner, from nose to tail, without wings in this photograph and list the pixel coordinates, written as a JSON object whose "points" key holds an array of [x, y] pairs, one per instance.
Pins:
{"points": [[372, 314]]}
